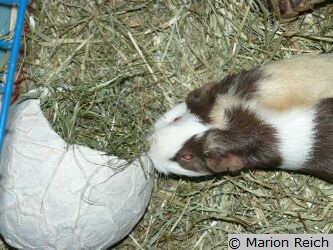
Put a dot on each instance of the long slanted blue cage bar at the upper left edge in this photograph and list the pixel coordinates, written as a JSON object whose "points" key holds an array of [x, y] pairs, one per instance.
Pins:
{"points": [[6, 98]]}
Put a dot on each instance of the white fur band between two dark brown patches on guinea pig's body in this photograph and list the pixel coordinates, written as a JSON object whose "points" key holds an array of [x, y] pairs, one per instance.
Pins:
{"points": [[296, 134]]}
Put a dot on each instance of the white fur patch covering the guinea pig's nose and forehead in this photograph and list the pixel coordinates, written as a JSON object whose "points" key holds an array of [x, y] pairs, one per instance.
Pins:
{"points": [[169, 139]]}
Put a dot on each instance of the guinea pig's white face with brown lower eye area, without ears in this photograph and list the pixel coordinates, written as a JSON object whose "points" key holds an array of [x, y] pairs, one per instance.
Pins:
{"points": [[177, 148]]}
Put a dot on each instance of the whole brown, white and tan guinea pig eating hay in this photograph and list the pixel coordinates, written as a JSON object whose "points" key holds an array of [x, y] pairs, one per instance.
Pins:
{"points": [[259, 118]]}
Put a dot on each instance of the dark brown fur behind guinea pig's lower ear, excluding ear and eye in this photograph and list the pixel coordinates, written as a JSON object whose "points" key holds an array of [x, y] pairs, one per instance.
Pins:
{"points": [[247, 137]]}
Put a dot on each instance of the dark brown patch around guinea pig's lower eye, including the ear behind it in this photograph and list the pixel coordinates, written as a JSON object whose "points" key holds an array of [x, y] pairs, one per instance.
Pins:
{"points": [[248, 142]]}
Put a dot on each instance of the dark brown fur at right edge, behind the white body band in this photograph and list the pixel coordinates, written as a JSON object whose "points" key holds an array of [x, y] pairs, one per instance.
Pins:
{"points": [[321, 163]]}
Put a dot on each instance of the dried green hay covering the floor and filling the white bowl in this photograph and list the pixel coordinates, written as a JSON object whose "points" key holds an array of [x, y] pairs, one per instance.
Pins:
{"points": [[113, 66]]}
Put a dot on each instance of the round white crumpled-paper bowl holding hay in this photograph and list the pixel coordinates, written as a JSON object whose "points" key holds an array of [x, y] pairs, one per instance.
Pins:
{"points": [[55, 196]]}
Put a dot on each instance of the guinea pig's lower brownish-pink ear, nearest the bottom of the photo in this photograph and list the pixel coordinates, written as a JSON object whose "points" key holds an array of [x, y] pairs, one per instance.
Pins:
{"points": [[228, 162]]}
